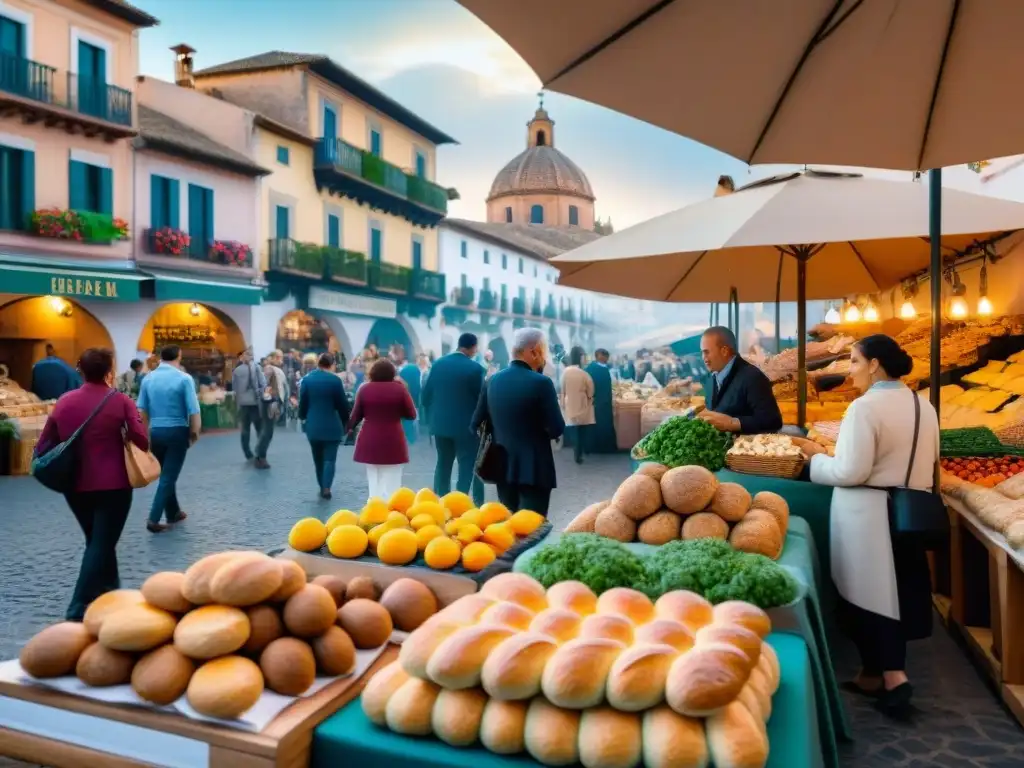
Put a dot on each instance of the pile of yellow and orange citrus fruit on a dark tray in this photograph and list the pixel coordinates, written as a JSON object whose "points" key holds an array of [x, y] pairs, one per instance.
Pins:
{"points": [[447, 532]]}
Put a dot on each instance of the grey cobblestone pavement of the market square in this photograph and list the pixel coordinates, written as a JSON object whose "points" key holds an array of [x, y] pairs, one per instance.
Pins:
{"points": [[231, 505]]}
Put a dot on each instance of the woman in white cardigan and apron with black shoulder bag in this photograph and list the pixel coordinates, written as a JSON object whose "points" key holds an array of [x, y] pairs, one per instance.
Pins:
{"points": [[884, 584]]}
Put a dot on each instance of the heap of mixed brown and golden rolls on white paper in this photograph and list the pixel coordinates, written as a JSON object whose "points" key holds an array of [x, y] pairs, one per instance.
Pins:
{"points": [[220, 633]]}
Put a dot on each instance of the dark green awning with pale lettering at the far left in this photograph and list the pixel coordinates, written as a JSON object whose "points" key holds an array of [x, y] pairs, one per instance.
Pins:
{"points": [[35, 279]]}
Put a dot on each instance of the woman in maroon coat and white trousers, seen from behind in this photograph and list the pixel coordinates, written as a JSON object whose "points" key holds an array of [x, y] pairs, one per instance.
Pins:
{"points": [[382, 404]]}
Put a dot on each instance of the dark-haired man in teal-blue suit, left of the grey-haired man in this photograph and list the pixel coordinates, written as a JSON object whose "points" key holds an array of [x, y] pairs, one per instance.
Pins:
{"points": [[449, 397]]}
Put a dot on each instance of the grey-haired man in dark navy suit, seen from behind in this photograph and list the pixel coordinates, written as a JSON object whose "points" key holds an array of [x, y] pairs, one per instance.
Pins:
{"points": [[521, 406]]}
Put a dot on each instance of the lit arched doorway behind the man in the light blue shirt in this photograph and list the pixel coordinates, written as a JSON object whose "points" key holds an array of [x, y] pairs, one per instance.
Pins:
{"points": [[210, 340]]}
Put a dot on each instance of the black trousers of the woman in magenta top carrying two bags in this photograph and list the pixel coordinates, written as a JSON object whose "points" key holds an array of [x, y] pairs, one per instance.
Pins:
{"points": [[102, 516]]}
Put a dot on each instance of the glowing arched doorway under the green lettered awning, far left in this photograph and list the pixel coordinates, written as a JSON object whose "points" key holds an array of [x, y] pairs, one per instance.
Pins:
{"points": [[28, 325]]}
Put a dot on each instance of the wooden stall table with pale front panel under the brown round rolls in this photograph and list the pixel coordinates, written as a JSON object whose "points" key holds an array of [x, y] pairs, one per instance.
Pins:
{"points": [[45, 727]]}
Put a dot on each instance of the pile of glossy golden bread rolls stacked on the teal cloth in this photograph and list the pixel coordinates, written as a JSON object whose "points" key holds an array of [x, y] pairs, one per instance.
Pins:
{"points": [[568, 677]]}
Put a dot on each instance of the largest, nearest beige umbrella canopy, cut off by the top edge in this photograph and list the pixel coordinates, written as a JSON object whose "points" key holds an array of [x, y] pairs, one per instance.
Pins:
{"points": [[881, 83]]}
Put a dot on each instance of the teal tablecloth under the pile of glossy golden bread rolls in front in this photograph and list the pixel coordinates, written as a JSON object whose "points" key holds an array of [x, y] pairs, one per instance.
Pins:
{"points": [[350, 739]]}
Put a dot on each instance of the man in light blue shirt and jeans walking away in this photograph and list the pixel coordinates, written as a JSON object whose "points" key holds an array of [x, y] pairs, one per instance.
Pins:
{"points": [[170, 409]]}
